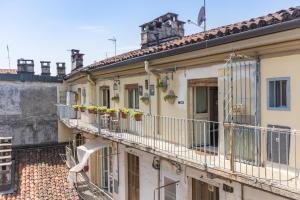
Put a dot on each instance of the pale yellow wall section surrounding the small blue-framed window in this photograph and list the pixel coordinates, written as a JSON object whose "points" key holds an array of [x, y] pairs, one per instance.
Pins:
{"points": [[285, 66]]}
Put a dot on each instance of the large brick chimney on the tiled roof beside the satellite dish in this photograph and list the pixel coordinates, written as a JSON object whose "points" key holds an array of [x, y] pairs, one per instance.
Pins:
{"points": [[162, 29]]}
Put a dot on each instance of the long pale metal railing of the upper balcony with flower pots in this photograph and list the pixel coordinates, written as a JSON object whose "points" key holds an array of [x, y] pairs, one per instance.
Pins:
{"points": [[265, 154]]}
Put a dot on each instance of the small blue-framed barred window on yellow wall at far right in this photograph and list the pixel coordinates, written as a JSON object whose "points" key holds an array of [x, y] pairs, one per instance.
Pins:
{"points": [[278, 93]]}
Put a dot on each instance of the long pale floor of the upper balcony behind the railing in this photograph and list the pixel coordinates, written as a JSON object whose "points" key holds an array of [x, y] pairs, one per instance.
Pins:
{"points": [[279, 176]]}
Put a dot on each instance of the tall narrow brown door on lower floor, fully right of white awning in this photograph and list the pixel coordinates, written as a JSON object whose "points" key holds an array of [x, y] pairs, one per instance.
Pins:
{"points": [[133, 177]]}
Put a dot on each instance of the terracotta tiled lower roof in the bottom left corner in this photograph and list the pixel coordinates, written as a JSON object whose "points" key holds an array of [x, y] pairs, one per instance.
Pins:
{"points": [[41, 174]]}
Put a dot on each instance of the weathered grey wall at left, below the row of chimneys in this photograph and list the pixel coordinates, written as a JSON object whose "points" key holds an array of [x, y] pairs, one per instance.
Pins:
{"points": [[28, 112]]}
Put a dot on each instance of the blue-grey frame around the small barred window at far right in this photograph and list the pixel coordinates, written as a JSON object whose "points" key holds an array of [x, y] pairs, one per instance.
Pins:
{"points": [[288, 93]]}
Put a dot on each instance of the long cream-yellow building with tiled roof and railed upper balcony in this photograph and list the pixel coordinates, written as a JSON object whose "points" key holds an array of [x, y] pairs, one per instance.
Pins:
{"points": [[219, 114]]}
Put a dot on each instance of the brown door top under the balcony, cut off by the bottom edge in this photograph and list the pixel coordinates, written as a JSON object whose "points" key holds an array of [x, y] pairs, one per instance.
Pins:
{"points": [[204, 191]]}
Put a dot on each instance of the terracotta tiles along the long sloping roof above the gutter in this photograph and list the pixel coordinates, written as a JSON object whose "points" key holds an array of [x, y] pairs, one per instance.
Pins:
{"points": [[254, 23]]}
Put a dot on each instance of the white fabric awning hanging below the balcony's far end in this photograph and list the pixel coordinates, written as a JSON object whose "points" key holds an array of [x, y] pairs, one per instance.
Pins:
{"points": [[83, 154]]}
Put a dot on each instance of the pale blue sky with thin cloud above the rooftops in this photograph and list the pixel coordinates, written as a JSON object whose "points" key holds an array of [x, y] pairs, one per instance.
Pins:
{"points": [[48, 29]]}
